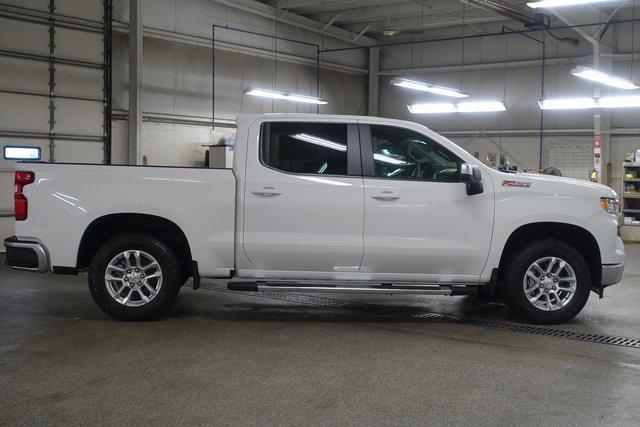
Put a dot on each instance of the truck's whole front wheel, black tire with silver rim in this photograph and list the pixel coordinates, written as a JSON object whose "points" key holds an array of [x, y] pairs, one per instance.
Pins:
{"points": [[547, 282]]}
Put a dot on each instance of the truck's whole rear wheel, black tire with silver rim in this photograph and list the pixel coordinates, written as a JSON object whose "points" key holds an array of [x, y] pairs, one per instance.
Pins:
{"points": [[134, 277]]}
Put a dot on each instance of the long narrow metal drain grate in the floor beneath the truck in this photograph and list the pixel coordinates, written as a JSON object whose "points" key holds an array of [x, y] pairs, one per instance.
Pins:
{"points": [[418, 314]]}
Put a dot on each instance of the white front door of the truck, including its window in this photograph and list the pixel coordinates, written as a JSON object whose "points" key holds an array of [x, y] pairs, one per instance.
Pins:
{"points": [[419, 221]]}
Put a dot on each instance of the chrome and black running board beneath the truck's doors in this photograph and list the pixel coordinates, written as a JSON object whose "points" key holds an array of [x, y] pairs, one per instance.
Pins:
{"points": [[383, 288]]}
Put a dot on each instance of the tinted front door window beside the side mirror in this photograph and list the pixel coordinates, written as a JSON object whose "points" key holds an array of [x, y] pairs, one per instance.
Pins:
{"points": [[403, 154]]}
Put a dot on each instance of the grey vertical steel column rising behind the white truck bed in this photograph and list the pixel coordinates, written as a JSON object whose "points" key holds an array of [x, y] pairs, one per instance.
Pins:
{"points": [[135, 81]]}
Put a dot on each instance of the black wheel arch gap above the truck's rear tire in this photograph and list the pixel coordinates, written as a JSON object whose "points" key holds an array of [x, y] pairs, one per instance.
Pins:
{"points": [[107, 226]]}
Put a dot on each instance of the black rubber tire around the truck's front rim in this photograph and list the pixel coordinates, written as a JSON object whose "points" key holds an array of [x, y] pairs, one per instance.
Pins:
{"points": [[516, 269]]}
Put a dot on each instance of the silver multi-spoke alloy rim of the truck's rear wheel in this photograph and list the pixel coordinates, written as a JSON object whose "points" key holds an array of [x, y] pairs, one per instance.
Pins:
{"points": [[133, 278]]}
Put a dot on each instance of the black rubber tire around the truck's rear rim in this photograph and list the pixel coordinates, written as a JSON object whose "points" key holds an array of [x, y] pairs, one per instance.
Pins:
{"points": [[168, 265]]}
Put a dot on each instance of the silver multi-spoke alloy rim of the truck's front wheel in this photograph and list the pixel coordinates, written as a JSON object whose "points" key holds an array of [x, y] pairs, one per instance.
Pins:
{"points": [[549, 283]]}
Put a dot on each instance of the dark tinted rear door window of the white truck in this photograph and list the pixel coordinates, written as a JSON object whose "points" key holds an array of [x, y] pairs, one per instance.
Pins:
{"points": [[316, 148]]}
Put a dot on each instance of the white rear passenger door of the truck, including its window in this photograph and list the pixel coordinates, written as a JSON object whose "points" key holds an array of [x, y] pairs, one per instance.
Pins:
{"points": [[304, 208]]}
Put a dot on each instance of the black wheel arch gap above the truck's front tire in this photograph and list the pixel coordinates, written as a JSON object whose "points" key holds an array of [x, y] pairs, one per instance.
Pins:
{"points": [[575, 236]]}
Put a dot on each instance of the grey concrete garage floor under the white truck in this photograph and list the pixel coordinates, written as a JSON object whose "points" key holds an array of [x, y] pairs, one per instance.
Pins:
{"points": [[226, 358]]}
